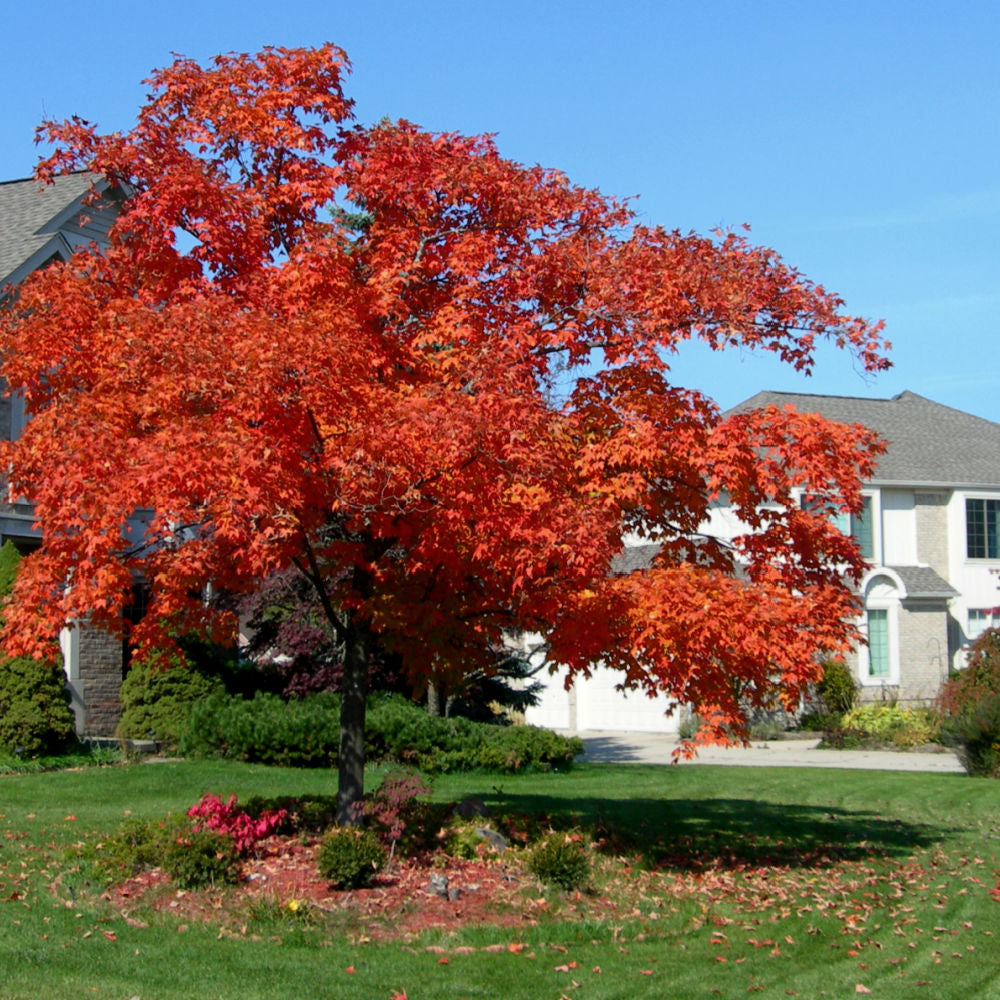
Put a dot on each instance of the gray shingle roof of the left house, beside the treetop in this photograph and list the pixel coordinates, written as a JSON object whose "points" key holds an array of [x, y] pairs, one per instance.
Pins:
{"points": [[30, 217]]}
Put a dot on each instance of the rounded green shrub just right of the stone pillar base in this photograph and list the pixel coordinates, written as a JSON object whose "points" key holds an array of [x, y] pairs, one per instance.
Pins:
{"points": [[157, 699]]}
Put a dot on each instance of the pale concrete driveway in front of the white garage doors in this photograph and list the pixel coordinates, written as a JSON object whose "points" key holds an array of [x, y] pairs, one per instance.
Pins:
{"points": [[654, 748]]}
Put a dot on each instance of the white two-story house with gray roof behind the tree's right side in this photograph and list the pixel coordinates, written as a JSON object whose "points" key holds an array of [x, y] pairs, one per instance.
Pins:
{"points": [[930, 532]]}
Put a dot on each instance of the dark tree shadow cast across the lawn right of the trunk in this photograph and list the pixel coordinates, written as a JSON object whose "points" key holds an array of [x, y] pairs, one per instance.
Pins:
{"points": [[725, 832]]}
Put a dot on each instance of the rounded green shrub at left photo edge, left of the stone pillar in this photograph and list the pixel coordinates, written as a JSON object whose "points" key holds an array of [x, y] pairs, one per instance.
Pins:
{"points": [[34, 708]]}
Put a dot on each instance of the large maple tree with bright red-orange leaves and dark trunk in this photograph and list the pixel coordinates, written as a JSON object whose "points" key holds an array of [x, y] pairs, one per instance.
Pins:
{"points": [[434, 381]]}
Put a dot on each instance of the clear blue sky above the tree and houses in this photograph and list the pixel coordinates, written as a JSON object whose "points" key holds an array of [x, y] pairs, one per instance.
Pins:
{"points": [[859, 140]]}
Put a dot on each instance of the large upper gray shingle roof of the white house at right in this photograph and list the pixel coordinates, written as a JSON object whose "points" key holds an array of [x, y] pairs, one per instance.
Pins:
{"points": [[928, 444]]}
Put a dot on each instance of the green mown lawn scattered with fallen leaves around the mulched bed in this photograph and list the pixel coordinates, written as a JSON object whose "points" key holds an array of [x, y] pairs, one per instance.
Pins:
{"points": [[771, 882]]}
